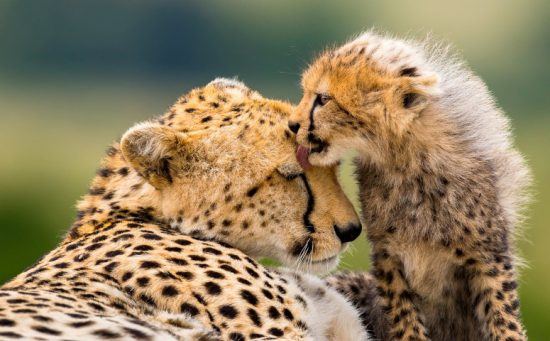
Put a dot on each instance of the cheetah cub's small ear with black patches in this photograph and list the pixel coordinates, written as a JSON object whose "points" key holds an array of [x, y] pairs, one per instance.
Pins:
{"points": [[418, 90]]}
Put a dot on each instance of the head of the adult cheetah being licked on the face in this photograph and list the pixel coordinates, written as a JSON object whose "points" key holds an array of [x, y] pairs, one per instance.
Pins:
{"points": [[223, 161]]}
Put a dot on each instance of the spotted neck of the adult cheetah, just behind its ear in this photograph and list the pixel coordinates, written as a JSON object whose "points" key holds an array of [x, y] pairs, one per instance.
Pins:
{"points": [[116, 193]]}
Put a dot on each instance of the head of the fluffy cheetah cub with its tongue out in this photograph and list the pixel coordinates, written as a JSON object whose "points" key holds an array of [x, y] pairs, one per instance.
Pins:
{"points": [[366, 94]]}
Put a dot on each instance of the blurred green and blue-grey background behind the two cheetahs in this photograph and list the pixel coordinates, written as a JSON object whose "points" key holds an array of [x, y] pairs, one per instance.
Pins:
{"points": [[75, 74]]}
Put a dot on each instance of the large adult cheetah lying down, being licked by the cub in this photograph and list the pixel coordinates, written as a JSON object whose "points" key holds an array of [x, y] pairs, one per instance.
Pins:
{"points": [[162, 245]]}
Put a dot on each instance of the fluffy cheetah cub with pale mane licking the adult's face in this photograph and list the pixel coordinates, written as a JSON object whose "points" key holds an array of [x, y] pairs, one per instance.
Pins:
{"points": [[441, 185]]}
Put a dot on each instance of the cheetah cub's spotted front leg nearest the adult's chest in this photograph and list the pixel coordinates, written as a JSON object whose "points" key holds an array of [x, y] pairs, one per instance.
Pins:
{"points": [[405, 321]]}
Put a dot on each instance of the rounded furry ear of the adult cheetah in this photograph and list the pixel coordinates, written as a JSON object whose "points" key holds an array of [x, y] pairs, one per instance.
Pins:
{"points": [[154, 151]]}
